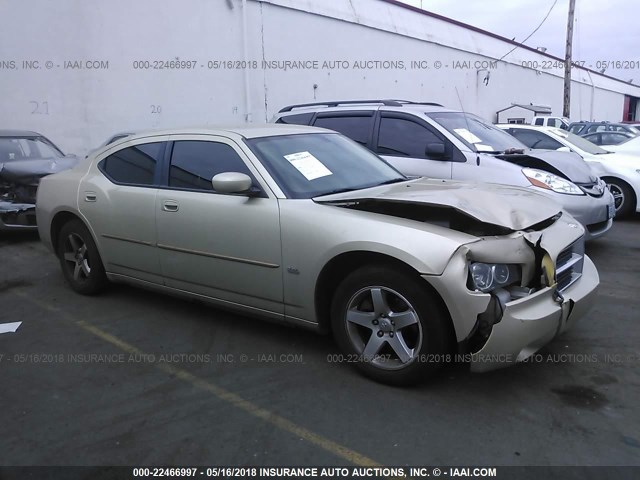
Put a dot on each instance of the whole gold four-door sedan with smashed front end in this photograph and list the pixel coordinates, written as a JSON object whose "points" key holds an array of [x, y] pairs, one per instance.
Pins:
{"points": [[301, 225]]}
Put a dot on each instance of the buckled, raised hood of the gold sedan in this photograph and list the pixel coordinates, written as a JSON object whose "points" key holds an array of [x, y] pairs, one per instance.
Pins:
{"points": [[515, 208]]}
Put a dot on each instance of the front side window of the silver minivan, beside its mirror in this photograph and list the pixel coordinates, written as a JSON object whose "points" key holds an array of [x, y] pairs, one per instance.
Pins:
{"points": [[404, 138]]}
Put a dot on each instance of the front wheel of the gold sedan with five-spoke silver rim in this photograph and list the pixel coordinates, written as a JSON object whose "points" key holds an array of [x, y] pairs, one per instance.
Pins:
{"points": [[390, 325]]}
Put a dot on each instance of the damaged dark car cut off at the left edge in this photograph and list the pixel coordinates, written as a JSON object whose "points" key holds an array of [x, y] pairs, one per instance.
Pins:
{"points": [[25, 157]]}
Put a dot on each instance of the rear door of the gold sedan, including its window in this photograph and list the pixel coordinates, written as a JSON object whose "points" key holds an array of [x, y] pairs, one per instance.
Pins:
{"points": [[118, 199]]}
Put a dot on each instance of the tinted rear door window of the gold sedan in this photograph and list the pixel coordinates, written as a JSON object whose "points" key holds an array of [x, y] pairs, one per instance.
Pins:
{"points": [[133, 165]]}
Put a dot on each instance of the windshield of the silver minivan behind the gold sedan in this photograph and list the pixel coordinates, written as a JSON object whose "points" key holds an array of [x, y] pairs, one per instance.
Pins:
{"points": [[479, 135]]}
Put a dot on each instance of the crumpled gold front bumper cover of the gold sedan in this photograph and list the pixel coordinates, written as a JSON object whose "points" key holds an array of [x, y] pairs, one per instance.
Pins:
{"points": [[531, 322]]}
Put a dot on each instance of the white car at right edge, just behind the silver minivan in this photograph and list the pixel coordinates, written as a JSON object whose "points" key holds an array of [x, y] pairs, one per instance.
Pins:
{"points": [[619, 169]]}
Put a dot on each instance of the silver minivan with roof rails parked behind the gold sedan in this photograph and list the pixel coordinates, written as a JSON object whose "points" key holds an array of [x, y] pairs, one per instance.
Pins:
{"points": [[426, 139]]}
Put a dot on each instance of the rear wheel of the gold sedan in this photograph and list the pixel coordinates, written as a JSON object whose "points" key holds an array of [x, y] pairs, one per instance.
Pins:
{"points": [[80, 260]]}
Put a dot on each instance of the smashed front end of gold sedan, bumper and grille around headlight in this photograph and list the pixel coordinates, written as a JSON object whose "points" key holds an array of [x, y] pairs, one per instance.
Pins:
{"points": [[508, 325]]}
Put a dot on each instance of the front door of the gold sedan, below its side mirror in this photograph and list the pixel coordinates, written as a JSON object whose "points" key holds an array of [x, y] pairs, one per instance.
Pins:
{"points": [[224, 246]]}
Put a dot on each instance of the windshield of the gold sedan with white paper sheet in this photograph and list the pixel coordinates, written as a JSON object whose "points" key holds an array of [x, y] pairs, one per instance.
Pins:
{"points": [[310, 165]]}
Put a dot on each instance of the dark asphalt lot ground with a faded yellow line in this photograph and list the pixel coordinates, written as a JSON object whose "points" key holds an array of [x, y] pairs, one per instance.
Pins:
{"points": [[132, 377]]}
